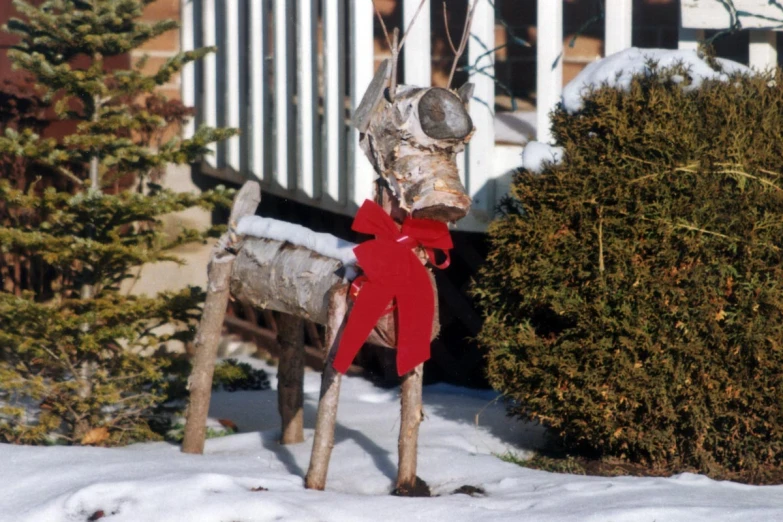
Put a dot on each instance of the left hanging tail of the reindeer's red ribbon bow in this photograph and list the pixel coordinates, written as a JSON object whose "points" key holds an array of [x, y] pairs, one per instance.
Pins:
{"points": [[370, 304]]}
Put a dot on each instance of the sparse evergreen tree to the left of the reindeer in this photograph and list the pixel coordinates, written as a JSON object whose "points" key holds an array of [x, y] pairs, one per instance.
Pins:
{"points": [[77, 361]]}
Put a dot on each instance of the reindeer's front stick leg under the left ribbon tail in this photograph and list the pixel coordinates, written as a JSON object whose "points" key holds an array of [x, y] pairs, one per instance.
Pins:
{"points": [[323, 441]]}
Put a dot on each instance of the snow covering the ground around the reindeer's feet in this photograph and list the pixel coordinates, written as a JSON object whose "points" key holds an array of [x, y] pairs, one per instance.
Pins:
{"points": [[155, 482]]}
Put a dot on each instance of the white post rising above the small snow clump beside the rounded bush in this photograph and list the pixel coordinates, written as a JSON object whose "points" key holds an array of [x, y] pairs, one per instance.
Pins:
{"points": [[549, 68]]}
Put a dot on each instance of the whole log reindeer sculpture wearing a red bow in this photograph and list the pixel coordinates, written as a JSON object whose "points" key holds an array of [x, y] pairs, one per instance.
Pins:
{"points": [[411, 136]]}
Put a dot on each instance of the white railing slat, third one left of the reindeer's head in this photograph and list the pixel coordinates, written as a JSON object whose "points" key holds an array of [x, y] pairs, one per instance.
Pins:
{"points": [[307, 78]]}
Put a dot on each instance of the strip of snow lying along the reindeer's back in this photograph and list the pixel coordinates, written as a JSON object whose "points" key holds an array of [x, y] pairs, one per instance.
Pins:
{"points": [[325, 244]]}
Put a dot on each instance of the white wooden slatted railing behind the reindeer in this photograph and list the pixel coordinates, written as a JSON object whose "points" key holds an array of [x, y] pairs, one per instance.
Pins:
{"points": [[293, 107]]}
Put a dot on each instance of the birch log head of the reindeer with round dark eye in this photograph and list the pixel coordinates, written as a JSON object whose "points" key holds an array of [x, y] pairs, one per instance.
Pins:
{"points": [[412, 138]]}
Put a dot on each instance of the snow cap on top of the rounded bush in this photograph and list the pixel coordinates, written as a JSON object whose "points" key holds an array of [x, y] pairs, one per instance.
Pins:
{"points": [[618, 69]]}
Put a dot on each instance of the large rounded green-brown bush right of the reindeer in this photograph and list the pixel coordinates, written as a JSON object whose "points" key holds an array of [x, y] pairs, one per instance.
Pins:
{"points": [[633, 294]]}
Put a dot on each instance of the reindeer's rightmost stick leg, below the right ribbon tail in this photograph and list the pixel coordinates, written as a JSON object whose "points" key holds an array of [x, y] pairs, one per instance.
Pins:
{"points": [[410, 418]]}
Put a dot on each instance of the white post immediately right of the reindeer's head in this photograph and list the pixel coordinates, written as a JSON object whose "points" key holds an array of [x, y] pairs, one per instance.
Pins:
{"points": [[479, 182]]}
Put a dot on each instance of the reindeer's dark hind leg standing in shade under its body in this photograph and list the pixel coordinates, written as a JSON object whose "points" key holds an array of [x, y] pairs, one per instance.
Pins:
{"points": [[290, 378]]}
